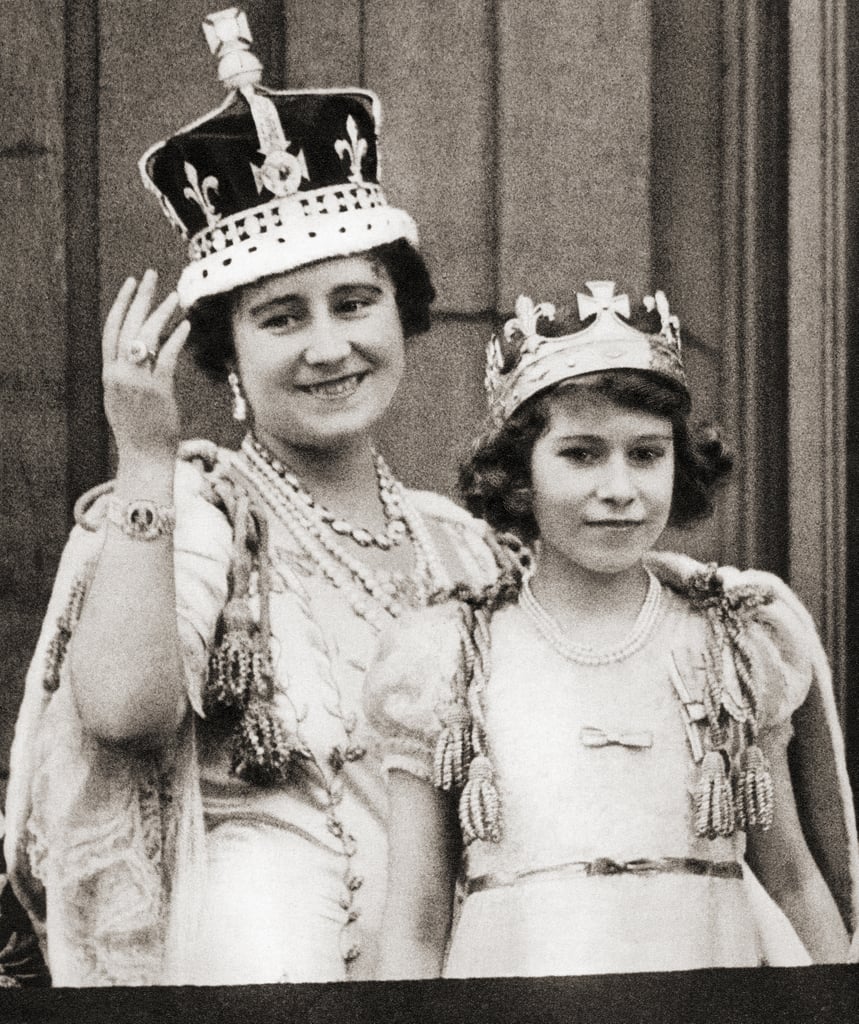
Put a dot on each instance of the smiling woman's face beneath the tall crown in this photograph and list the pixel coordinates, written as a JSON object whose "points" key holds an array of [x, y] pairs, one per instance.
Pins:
{"points": [[320, 352]]}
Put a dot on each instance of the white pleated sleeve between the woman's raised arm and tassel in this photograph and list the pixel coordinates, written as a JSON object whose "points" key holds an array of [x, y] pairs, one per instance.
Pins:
{"points": [[202, 551]]}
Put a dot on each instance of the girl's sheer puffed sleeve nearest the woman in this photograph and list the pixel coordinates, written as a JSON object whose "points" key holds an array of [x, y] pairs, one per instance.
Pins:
{"points": [[410, 678]]}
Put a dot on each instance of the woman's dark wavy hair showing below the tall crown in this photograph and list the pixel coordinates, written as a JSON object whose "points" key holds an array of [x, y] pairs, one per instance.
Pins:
{"points": [[210, 342]]}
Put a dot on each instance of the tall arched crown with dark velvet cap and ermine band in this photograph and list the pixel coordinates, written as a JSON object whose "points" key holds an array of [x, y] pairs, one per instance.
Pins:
{"points": [[271, 181]]}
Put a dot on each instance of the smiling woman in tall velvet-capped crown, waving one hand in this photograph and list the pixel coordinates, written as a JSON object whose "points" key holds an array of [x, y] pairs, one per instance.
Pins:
{"points": [[196, 797]]}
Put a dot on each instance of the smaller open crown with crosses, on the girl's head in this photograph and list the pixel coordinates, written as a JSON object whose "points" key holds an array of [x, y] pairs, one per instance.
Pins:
{"points": [[526, 363]]}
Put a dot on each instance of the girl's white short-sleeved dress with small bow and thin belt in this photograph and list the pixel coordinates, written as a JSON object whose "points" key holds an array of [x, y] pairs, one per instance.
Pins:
{"points": [[593, 762]]}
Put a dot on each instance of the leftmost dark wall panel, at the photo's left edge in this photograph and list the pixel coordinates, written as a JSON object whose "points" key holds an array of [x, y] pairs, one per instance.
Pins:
{"points": [[33, 374]]}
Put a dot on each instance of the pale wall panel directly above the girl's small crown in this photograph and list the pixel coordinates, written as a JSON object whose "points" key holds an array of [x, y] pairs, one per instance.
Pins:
{"points": [[575, 146]]}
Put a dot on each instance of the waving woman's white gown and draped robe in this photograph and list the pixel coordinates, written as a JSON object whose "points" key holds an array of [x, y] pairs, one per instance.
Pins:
{"points": [[144, 871]]}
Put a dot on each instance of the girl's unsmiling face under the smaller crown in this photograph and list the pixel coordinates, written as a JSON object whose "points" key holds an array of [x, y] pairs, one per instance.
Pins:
{"points": [[603, 479]]}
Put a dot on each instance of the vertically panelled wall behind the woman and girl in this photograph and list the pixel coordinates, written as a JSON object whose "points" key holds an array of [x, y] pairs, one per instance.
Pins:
{"points": [[537, 145]]}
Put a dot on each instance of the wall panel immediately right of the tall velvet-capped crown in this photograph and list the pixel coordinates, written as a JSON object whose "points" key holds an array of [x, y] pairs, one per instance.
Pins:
{"points": [[432, 65]]}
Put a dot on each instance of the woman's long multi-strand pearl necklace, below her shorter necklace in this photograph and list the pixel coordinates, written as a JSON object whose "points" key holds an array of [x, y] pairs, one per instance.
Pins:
{"points": [[371, 596]]}
